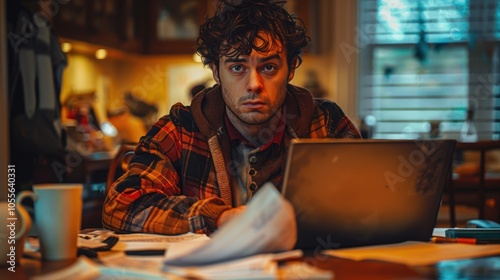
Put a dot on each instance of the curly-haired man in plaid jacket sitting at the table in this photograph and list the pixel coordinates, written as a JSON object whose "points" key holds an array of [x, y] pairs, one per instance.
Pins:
{"points": [[198, 166]]}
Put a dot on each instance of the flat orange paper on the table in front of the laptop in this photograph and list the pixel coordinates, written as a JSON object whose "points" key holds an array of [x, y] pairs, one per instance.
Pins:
{"points": [[415, 253]]}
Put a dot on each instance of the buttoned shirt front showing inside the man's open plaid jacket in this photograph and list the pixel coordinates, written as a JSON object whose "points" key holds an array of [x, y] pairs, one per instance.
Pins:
{"points": [[252, 165]]}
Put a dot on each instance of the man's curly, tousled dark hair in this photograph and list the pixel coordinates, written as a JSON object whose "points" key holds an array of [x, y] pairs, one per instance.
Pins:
{"points": [[236, 24]]}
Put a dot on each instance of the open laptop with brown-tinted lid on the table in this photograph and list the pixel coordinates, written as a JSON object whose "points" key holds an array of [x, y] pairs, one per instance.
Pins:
{"points": [[350, 193]]}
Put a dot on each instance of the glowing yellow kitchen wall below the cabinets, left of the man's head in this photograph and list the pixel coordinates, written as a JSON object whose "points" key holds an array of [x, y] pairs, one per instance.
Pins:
{"points": [[147, 77]]}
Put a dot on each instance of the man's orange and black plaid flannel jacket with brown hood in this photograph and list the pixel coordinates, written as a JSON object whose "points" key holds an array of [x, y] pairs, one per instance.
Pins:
{"points": [[178, 181]]}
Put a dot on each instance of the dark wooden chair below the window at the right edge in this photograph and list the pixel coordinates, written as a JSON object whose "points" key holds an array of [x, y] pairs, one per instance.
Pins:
{"points": [[479, 185]]}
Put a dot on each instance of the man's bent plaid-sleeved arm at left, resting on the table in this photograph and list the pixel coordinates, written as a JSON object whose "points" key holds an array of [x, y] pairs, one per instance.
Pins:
{"points": [[148, 198]]}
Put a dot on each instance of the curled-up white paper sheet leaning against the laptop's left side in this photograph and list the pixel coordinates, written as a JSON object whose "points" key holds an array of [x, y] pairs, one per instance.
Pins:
{"points": [[266, 226]]}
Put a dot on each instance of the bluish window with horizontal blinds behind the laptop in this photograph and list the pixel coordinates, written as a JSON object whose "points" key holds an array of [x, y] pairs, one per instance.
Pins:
{"points": [[423, 64]]}
